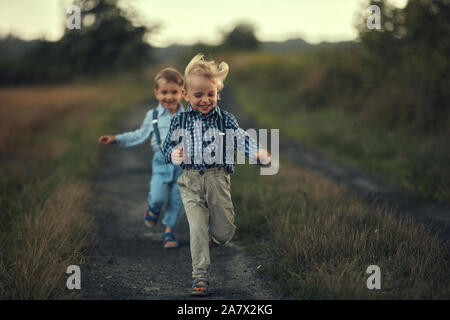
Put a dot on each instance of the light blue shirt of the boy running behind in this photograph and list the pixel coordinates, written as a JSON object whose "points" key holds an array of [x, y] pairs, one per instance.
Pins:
{"points": [[138, 136]]}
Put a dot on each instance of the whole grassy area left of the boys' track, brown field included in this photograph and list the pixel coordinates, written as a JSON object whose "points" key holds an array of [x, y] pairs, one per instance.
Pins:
{"points": [[46, 169]]}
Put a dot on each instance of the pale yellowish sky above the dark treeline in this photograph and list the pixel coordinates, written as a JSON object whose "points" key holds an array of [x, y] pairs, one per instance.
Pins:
{"points": [[190, 21]]}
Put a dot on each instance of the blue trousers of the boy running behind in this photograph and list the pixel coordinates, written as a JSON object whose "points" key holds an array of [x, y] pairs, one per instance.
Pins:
{"points": [[164, 190]]}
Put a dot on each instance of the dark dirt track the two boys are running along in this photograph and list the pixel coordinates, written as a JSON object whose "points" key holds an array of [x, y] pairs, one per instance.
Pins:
{"points": [[129, 261]]}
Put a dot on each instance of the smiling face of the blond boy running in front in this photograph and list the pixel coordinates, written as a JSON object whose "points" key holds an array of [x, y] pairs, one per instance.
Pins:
{"points": [[201, 93]]}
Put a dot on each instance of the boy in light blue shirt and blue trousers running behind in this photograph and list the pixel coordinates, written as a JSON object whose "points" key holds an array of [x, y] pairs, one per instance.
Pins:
{"points": [[163, 187]]}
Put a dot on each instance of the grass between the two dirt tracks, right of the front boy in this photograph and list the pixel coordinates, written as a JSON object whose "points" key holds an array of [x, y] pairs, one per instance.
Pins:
{"points": [[321, 240]]}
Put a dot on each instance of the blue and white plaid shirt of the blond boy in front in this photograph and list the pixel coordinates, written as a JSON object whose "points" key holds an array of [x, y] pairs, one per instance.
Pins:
{"points": [[201, 143]]}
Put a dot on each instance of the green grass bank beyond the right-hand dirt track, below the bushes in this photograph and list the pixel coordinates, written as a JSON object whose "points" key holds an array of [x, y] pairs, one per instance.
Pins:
{"points": [[416, 162]]}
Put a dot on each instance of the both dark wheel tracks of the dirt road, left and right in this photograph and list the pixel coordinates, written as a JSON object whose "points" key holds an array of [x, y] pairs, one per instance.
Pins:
{"points": [[129, 262]]}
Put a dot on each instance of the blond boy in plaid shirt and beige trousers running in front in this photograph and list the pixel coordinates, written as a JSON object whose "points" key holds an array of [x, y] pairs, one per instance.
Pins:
{"points": [[205, 182]]}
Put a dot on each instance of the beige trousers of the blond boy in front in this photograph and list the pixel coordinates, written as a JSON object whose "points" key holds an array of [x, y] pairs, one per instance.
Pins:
{"points": [[207, 201]]}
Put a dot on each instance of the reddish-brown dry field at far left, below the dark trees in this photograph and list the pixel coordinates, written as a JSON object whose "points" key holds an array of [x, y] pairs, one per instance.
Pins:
{"points": [[27, 111]]}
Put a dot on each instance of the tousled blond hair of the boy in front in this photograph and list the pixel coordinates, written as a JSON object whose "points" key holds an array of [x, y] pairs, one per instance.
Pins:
{"points": [[199, 66]]}
